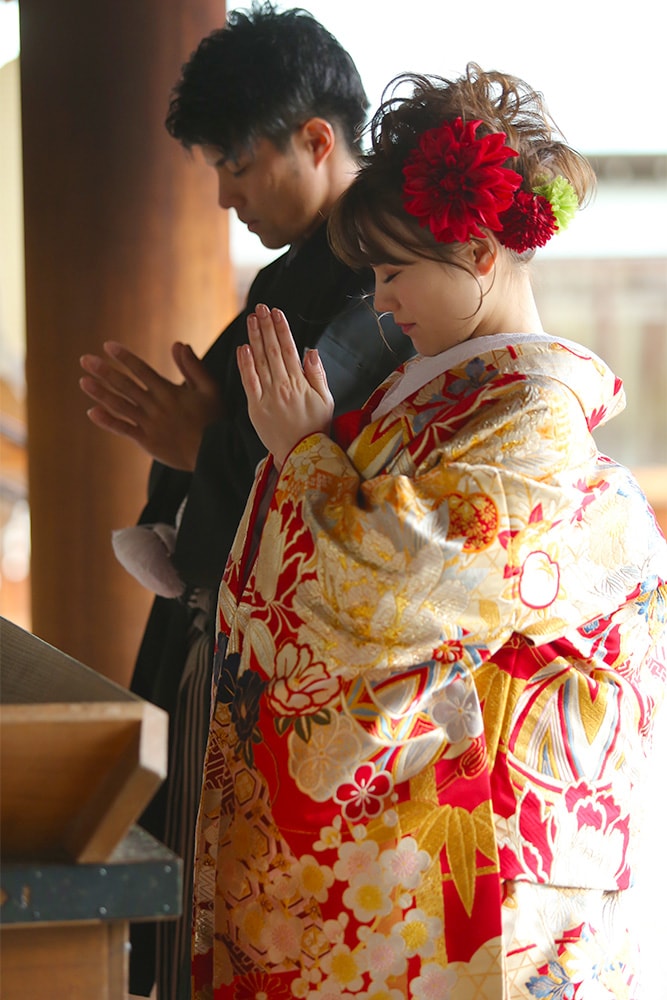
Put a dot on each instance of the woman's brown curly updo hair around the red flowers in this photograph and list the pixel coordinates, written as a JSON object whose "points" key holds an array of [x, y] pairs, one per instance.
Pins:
{"points": [[370, 217]]}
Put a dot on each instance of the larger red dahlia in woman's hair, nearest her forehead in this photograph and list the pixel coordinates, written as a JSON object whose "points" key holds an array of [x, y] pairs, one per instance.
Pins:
{"points": [[455, 183]]}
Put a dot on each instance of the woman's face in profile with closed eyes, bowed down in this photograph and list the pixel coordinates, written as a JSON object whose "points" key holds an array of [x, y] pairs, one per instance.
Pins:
{"points": [[437, 305]]}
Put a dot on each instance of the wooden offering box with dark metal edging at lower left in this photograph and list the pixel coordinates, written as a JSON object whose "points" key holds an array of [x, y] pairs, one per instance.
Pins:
{"points": [[80, 758]]}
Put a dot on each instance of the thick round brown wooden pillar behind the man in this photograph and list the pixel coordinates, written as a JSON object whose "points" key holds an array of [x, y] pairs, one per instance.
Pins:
{"points": [[123, 241]]}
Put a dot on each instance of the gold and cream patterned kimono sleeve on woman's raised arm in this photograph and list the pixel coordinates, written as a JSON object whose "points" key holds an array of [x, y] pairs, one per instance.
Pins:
{"points": [[502, 529]]}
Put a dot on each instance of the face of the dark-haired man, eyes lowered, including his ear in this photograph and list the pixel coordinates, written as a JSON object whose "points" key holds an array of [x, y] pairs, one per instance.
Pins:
{"points": [[277, 194]]}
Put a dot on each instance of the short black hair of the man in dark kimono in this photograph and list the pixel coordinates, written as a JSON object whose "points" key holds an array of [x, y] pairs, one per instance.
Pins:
{"points": [[262, 76]]}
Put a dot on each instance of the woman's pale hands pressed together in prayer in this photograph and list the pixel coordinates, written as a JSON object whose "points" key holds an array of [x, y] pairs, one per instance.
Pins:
{"points": [[286, 401]]}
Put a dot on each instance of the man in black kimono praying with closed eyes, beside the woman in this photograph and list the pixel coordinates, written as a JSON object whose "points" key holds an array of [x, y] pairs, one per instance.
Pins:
{"points": [[274, 104]]}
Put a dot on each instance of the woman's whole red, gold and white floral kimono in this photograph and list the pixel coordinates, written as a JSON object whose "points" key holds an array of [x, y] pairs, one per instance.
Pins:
{"points": [[442, 641]]}
